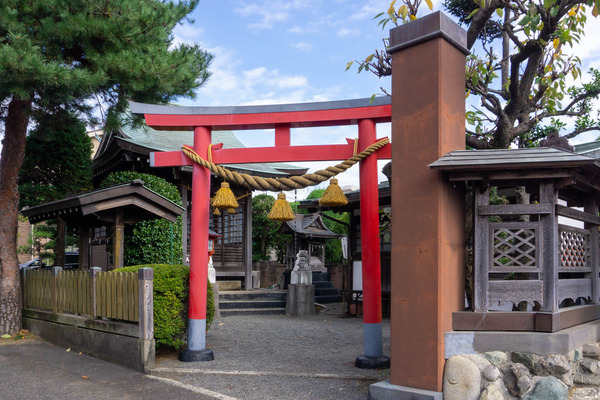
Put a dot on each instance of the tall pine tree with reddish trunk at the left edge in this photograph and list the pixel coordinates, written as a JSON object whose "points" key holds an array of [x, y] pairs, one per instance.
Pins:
{"points": [[56, 53]]}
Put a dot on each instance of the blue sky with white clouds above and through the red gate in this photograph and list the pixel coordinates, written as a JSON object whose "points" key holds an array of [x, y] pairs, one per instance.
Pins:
{"points": [[275, 51]]}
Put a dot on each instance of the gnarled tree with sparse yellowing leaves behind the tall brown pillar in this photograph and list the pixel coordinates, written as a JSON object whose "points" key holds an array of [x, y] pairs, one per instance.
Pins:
{"points": [[519, 67]]}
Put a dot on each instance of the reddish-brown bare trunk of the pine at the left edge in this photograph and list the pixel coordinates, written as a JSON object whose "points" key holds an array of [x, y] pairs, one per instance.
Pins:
{"points": [[13, 150]]}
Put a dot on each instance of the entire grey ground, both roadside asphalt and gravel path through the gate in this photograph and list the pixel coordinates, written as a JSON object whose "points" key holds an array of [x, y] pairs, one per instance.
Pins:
{"points": [[258, 357]]}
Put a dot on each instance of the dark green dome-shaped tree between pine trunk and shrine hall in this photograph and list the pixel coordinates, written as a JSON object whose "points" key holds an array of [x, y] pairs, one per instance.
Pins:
{"points": [[57, 160]]}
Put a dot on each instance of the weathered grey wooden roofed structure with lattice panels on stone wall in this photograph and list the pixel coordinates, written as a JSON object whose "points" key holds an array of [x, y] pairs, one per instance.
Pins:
{"points": [[545, 253]]}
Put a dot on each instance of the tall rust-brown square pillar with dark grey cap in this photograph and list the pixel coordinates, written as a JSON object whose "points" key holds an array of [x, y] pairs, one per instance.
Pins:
{"points": [[428, 120]]}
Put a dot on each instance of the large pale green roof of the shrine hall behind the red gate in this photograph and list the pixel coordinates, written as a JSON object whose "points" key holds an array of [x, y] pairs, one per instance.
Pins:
{"points": [[144, 140]]}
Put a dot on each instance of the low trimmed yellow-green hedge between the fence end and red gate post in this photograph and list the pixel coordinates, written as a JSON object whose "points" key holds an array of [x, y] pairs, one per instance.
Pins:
{"points": [[171, 296]]}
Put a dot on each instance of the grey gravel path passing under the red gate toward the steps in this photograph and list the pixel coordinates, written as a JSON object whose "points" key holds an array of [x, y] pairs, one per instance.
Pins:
{"points": [[281, 357]]}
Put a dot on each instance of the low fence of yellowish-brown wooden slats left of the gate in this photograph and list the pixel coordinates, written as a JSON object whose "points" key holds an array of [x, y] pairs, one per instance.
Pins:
{"points": [[113, 295]]}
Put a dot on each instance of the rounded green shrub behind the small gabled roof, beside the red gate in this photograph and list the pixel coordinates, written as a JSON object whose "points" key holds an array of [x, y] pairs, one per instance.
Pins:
{"points": [[155, 241]]}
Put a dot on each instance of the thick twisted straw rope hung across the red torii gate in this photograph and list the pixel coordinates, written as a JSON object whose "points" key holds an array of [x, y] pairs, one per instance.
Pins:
{"points": [[283, 184]]}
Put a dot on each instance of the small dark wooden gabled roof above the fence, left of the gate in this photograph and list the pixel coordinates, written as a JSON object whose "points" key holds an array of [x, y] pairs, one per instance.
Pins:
{"points": [[99, 206]]}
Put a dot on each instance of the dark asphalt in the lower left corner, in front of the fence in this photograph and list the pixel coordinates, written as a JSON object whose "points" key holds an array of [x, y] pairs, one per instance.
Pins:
{"points": [[32, 369]]}
